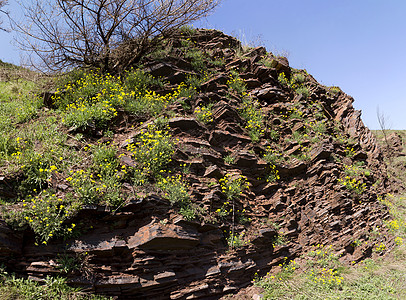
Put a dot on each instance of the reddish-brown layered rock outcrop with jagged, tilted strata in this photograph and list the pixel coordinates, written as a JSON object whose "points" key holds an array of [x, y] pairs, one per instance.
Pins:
{"points": [[298, 167]]}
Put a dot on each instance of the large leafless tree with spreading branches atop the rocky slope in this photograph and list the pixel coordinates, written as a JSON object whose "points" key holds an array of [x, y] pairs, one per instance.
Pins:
{"points": [[101, 33]]}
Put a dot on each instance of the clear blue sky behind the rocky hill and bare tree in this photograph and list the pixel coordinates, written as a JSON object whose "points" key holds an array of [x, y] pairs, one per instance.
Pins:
{"points": [[359, 45]]}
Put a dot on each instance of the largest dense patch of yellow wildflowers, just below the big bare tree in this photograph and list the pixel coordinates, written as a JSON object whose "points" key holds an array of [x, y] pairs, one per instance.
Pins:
{"points": [[97, 97]]}
